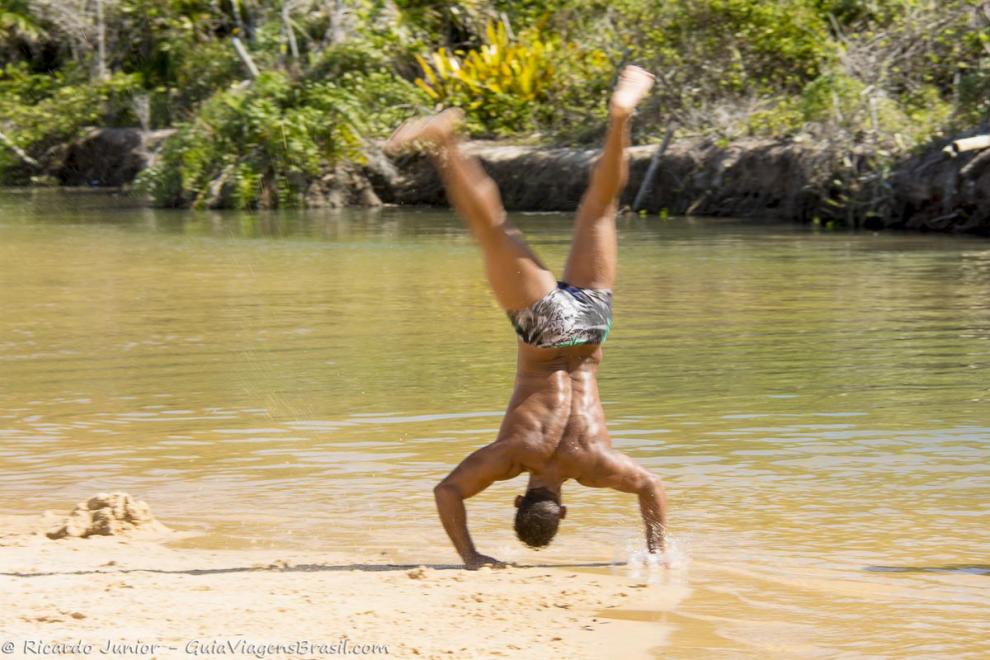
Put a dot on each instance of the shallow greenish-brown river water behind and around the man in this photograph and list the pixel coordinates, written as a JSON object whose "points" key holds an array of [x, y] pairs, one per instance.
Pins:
{"points": [[817, 402]]}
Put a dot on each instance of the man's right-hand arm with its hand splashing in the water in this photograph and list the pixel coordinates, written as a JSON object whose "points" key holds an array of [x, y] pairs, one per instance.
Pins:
{"points": [[618, 471]]}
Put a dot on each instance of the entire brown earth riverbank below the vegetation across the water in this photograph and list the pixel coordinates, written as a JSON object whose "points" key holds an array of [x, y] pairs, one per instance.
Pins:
{"points": [[798, 179]]}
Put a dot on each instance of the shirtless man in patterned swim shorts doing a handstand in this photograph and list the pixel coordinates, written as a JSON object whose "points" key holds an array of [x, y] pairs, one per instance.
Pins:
{"points": [[554, 427]]}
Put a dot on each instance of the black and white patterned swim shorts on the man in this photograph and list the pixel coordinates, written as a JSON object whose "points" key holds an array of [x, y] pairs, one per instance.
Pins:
{"points": [[567, 316]]}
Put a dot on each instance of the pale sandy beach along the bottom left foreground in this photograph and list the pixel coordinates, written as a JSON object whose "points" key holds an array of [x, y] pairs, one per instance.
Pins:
{"points": [[136, 596]]}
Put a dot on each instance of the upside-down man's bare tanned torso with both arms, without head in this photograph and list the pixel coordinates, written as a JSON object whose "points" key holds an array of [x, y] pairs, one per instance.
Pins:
{"points": [[554, 429]]}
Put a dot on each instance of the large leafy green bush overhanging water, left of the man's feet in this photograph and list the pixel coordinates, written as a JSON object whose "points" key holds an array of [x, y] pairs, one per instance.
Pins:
{"points": [[261, 145]]}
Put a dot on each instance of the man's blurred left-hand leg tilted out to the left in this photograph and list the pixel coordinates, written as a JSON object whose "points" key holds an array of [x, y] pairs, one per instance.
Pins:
{"points": [[517, 277]]}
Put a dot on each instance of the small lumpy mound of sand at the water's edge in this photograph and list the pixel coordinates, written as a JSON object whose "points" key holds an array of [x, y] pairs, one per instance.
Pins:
{"points": [[107, 514]]}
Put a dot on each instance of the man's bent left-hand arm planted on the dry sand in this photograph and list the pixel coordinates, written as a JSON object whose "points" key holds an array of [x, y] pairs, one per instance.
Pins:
{"points": [[475, 473]]}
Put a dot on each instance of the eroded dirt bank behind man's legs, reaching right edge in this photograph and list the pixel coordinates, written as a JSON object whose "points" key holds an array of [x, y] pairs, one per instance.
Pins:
{"points": [[793, 180]]}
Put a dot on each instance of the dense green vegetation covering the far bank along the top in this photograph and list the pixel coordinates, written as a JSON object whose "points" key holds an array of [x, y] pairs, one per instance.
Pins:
{"points": [[337, 74]]}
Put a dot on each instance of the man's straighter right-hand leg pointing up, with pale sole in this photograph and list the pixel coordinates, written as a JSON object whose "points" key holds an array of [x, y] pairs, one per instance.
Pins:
{"points": [[591, 263]]}
